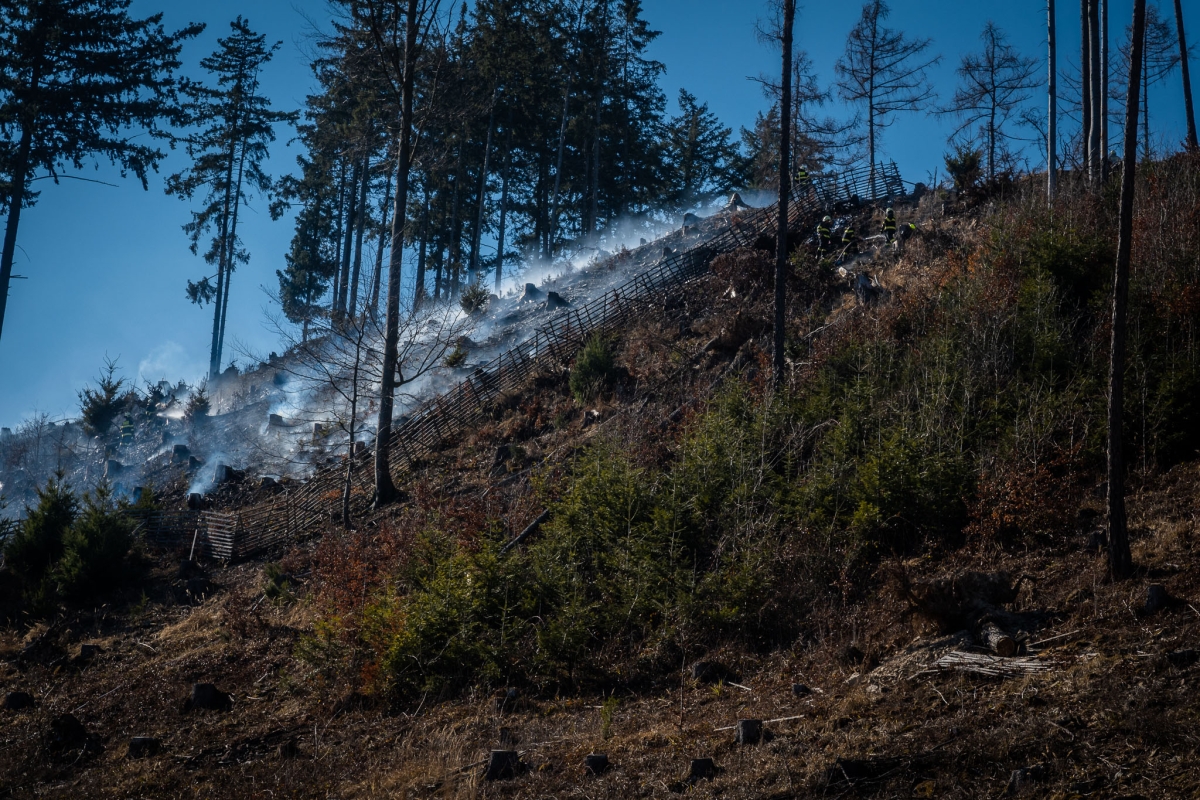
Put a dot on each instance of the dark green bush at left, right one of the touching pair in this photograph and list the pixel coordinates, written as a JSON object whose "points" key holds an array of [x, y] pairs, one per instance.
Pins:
{"points": [[95, 548]]}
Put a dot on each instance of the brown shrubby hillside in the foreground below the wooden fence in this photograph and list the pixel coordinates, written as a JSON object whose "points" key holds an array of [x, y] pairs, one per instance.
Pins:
{"points": [[827, 560]]}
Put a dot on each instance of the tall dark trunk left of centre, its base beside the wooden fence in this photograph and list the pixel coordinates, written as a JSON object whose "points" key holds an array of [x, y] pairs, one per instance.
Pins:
{"points": [[386, 491]]}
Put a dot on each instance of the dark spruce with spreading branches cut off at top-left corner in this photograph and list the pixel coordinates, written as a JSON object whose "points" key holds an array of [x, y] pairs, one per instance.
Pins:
{"points": [[77, 79]]}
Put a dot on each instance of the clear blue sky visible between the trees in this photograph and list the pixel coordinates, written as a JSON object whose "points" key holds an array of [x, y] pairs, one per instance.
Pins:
{"points": [[107, 266]]}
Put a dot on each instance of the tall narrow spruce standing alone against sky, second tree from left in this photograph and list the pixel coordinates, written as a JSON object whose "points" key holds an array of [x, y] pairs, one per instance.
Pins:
{"points": [[227, 157]]}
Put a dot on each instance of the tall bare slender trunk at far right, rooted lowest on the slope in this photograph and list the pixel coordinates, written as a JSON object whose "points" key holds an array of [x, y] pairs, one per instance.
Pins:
{"points": [[1120, 560]]}
